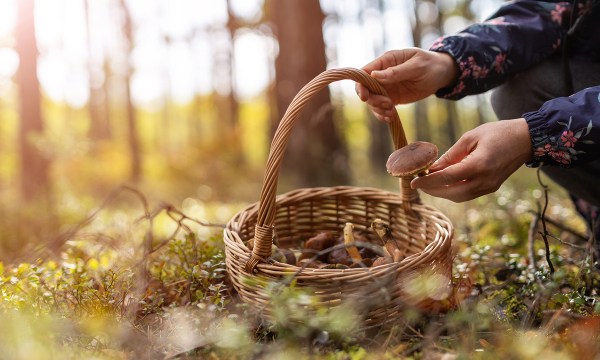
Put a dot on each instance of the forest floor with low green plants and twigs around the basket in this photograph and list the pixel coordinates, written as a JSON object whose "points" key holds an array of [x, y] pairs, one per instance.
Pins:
{"points": [[150, 282]]}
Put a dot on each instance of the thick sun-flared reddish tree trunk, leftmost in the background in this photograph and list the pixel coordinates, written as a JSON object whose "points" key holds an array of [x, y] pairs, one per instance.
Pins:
{"points": [[34, 166]]}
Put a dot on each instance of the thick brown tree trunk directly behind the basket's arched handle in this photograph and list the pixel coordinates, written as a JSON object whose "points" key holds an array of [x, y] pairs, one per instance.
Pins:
{"points": [[316, 154]]}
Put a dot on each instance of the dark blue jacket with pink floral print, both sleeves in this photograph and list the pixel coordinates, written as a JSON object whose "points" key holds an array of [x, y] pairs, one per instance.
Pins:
{"points": [[564, 131]]}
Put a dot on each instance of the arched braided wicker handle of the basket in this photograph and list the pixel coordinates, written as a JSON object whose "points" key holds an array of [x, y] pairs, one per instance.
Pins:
{"points": [[263, 233]]}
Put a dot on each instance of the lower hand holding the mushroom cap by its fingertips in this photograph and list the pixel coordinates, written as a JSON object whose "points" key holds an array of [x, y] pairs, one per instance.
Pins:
{"points": [[479, 162]]}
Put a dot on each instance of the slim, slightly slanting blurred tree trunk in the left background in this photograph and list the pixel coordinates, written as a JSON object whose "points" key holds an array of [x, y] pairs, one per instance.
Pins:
{"points": [[134, 143]]}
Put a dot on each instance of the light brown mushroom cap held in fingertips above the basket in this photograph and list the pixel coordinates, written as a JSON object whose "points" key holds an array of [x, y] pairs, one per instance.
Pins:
{"points": [[412, 159]]}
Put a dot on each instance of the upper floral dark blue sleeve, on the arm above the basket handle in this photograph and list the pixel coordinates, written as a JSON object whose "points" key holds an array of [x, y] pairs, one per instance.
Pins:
{"points": [[519, 35]]}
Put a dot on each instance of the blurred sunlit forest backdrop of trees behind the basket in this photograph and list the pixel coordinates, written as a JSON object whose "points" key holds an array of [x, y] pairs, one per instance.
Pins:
{"points": [[181, 98]]}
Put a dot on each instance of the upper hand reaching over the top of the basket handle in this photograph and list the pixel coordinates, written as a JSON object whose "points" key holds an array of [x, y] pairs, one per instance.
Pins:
{"points": [[407, 75]]}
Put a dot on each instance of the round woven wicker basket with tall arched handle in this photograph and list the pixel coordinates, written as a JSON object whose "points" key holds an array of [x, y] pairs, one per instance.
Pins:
{"points": [[294, 217]]}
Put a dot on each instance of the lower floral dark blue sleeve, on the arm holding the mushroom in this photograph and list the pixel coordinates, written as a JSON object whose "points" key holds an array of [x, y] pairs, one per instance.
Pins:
{"points": [[565, 131]]}
